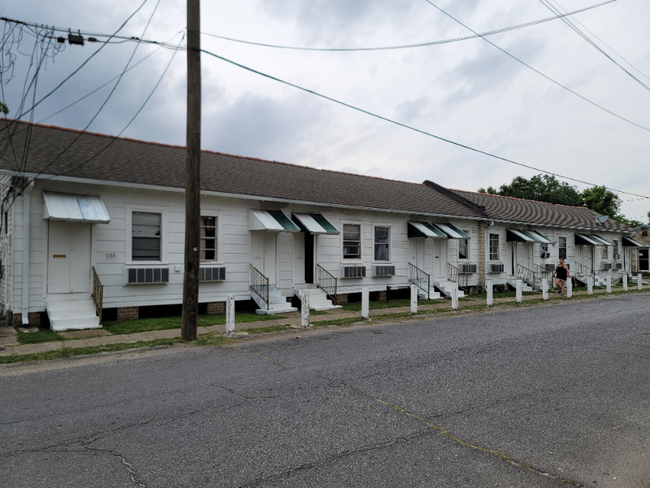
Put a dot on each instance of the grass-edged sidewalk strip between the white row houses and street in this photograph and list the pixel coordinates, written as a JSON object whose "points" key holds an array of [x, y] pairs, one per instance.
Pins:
{"points": [[100, 337]]}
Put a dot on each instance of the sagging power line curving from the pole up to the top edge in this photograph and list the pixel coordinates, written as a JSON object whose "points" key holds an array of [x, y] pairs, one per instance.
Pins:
{"points": [[407, 46]]}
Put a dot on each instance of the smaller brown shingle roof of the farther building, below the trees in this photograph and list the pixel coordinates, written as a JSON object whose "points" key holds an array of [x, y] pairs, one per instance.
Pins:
{"points": [[541, 213]]}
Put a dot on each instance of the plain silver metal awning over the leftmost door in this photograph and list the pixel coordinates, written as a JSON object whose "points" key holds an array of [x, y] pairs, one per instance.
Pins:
{"points": [[75, 208]]}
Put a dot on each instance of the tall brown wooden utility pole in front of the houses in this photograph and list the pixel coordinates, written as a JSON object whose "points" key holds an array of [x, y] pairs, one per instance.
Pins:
{"points": [[192, 174]]}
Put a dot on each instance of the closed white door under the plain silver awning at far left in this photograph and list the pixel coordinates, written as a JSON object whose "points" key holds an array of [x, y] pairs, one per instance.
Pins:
{"points": [[68, 258]]}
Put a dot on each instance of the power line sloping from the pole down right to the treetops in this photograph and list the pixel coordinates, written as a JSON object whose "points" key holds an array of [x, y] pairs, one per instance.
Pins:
{"points": [[400, 124]]}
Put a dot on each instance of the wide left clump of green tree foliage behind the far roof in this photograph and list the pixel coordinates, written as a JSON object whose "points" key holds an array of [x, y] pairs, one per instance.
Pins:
{"points": [[542, 188]]}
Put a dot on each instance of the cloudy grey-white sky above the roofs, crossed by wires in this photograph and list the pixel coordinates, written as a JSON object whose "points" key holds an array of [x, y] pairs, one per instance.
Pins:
{"points": [[466, 91]]}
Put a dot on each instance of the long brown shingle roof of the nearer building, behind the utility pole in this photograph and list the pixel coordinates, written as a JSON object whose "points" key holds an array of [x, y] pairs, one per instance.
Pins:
{"points": [[137, 162]]}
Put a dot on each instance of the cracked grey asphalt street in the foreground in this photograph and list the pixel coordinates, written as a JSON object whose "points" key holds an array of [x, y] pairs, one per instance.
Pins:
{"points": [[553, 395]]}
